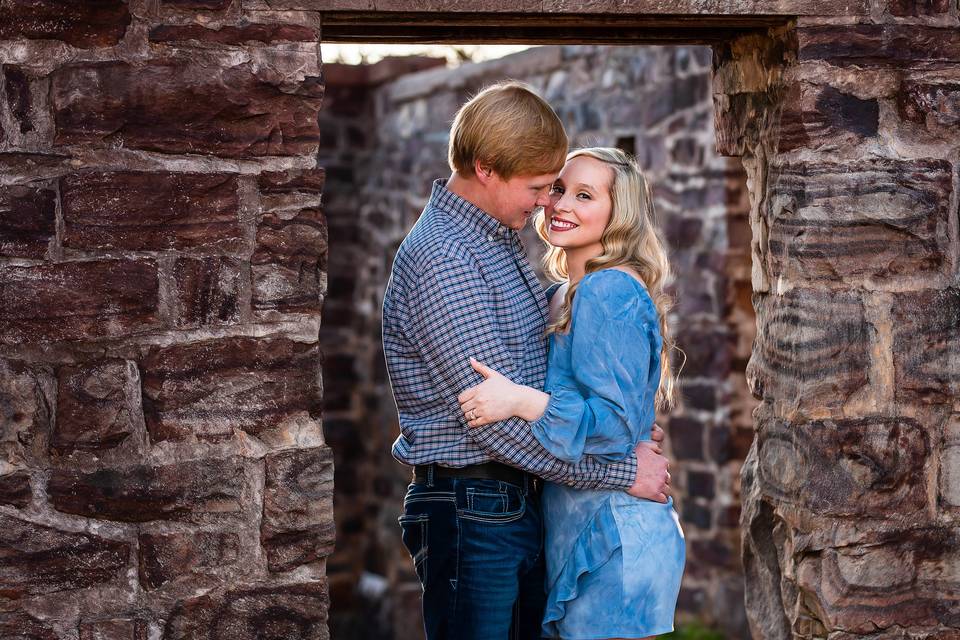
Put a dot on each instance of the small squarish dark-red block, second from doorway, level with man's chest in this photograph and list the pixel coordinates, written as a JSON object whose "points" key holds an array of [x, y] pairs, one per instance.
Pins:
{"points": [[207, 291]]}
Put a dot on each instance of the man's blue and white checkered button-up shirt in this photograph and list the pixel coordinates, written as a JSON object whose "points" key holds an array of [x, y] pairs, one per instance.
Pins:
{"points": [[461, 286]]}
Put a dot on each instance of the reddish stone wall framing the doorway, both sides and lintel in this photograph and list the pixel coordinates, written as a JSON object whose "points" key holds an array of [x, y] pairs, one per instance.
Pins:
{"points": [[162, 266]]}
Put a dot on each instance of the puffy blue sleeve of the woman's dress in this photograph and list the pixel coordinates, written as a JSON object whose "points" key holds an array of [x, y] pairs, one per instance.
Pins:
{"points": [[596, 407]]}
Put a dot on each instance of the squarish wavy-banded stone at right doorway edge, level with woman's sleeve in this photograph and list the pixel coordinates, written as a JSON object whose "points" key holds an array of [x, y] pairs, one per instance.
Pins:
{"points": [[813, 353]]}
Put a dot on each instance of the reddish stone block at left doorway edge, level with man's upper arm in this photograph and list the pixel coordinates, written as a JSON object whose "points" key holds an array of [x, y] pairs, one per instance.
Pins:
{"points": [[291, 256]]}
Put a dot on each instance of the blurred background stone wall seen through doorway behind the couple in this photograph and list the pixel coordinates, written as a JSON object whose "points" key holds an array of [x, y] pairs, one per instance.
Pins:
{"points": [[652, 101]]}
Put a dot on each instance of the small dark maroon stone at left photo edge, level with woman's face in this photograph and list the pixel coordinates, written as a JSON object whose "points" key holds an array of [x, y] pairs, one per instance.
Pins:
{"points": [[27, 220]]}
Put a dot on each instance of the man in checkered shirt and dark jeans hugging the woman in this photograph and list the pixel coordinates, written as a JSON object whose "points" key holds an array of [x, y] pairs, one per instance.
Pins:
{"points": [[461, 287]]}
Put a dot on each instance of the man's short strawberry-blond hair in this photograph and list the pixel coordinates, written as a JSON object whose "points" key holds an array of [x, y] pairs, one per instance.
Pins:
{"points": [[510, 128]]}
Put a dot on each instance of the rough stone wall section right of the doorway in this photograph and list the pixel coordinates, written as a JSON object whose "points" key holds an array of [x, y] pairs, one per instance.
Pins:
{"points": [[852, 153]]}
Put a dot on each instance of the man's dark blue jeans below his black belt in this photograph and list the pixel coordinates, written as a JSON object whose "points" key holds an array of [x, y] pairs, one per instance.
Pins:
{"points": [[477, 547]]}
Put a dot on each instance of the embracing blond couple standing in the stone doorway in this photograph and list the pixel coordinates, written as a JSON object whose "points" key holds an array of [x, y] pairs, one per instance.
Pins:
{"points": [[540, 504]]}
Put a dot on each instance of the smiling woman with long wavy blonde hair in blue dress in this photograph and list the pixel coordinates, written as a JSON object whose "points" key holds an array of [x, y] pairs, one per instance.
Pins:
{"points": [[614, 562]]}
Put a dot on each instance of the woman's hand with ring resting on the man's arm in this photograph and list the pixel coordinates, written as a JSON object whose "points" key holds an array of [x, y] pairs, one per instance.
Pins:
{"points": [[497, 398]]}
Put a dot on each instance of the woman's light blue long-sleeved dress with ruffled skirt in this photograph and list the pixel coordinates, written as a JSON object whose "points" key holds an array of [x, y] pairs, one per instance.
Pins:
{"points": [[614, 562]]}
